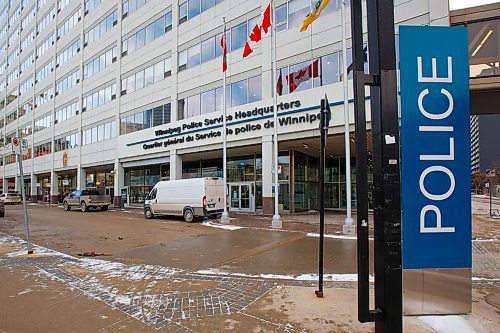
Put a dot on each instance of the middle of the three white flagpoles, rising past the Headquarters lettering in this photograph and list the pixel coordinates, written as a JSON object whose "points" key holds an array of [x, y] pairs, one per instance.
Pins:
{"points": [[276, 221]]}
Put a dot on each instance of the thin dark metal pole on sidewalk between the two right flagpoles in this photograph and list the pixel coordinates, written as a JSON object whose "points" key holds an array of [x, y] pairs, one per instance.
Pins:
{"points": [[319, 292]]}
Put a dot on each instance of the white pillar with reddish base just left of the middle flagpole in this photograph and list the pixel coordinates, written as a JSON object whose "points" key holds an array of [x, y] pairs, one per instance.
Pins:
{"points": [[267, 175]]}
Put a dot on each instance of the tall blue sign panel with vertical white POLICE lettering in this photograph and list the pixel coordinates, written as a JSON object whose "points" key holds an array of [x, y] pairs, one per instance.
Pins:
{"points": [[435, 136]]}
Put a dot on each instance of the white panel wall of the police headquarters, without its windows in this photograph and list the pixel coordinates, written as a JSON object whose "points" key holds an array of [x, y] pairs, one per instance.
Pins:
{"points": [[323, 37]]}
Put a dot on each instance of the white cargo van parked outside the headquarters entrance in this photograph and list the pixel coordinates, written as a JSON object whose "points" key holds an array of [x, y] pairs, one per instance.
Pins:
{"points": [[190, 198]]}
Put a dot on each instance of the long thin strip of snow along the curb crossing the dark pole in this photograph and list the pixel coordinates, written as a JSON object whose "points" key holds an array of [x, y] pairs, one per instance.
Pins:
{"points": [[302, 277]]}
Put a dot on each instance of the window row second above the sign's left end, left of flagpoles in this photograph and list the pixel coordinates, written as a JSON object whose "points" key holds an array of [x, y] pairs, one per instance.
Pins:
{"points": [[147, 76]]}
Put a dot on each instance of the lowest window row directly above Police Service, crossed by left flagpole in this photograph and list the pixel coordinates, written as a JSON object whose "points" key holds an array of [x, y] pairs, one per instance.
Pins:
{"points": [[238, 93]]}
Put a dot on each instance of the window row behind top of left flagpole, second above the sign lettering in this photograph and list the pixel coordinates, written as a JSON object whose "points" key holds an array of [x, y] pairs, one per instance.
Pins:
{"points": [[210, 48]]}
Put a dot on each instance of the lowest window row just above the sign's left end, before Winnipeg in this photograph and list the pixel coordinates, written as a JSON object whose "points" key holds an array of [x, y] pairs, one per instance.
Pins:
{"points": [[145, 119]]}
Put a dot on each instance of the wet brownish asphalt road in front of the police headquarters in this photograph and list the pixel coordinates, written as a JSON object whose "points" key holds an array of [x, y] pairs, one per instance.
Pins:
{"points": [[127, 237]]}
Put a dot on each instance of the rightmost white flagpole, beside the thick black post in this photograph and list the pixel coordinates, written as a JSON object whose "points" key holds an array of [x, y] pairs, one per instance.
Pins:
{"points": [[348, 227]]}
